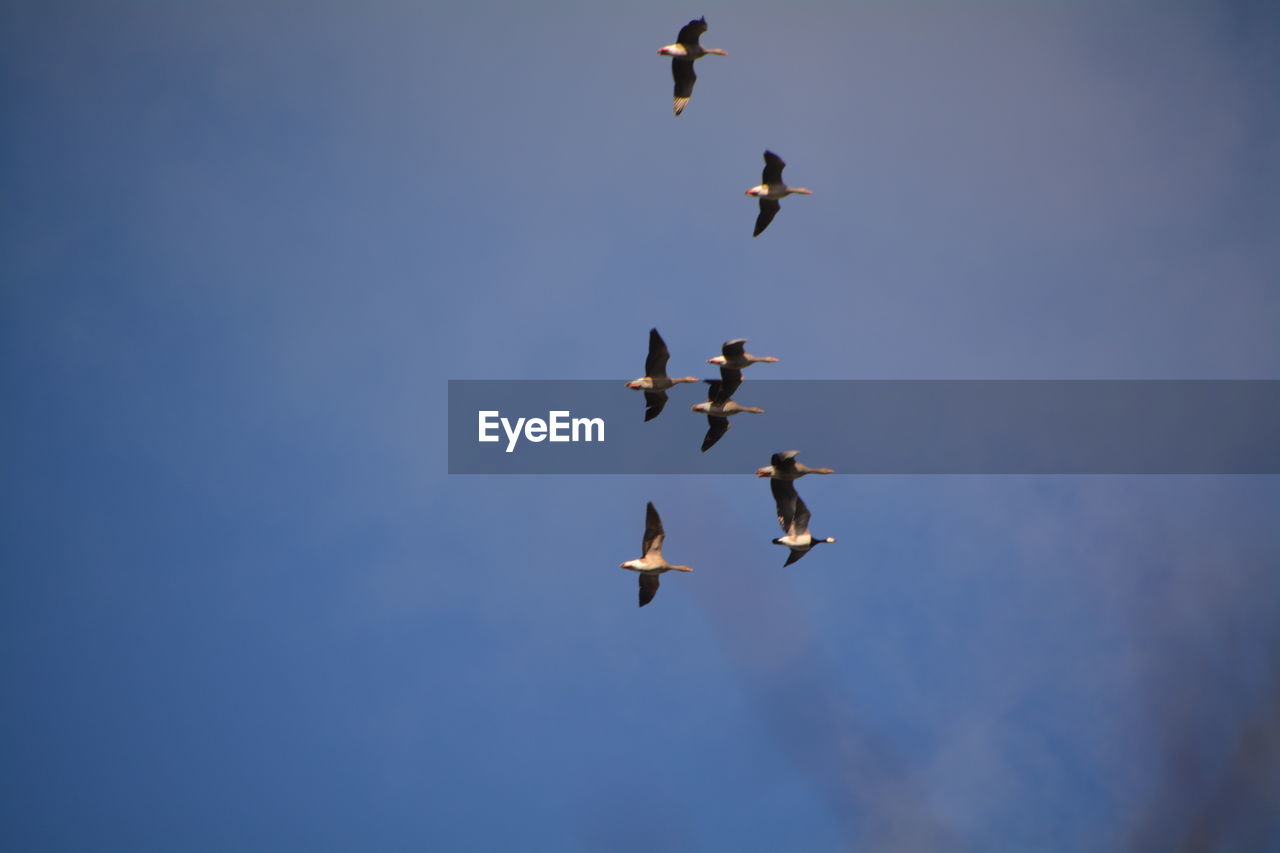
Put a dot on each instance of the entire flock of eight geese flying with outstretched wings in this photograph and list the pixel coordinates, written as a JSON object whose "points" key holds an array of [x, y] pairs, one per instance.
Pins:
{"points": [[784, 469]]}
